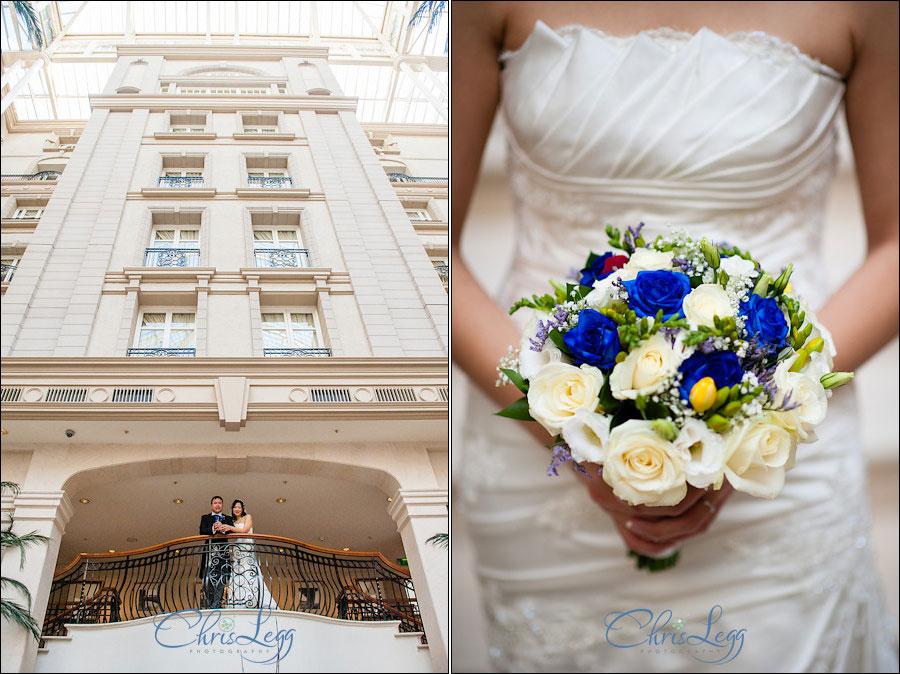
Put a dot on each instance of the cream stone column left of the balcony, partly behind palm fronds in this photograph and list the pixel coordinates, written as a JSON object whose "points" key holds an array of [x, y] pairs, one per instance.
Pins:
{"points": [[46, 513]]}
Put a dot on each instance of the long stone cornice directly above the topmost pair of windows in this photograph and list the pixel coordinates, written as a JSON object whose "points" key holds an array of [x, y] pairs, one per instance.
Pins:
{"points": [[223, 103]]}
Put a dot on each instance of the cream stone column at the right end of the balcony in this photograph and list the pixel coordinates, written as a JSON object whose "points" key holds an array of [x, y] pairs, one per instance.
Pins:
{"points": [[419, 514]]}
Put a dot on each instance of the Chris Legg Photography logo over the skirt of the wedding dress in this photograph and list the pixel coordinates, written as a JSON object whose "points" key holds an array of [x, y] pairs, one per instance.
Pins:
{"points": [[662, 634]]}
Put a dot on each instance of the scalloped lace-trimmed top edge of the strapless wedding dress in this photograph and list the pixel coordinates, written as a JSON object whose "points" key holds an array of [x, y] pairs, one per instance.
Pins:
{"points": [[763, 44]]}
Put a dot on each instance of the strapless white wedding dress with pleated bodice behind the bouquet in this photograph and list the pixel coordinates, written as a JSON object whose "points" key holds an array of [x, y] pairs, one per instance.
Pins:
{"points": [[727, 137]]}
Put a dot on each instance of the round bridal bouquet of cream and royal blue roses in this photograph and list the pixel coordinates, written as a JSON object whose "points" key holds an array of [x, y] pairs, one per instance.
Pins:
{"points": [[675, 363]]}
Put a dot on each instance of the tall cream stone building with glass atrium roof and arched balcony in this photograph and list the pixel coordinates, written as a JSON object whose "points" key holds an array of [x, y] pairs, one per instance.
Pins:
{"points": [[230, 279]]}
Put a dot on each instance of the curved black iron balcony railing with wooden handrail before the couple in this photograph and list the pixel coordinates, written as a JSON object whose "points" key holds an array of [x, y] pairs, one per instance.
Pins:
{"points": [[249, 571]]}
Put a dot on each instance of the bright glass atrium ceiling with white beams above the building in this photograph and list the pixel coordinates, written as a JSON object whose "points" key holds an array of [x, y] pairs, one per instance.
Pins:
{"points": [[367, 40]]}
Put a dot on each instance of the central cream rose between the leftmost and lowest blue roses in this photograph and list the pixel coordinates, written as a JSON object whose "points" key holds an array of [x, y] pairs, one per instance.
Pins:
{"points": [[646, 368]]}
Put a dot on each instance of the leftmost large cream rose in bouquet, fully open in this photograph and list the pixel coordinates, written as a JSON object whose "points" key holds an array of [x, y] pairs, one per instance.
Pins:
{"points": [[559, 390]]}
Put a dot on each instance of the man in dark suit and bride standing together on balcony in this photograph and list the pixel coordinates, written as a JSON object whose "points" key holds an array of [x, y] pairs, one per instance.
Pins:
{"points": [[231, 563]]}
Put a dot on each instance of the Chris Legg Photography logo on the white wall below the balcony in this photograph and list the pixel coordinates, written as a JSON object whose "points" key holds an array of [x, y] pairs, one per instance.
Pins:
{"points": [[210, 632]]}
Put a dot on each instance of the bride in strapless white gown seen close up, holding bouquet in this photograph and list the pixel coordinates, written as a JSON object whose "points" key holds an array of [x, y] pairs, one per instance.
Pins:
{"points": [[722, 124]]}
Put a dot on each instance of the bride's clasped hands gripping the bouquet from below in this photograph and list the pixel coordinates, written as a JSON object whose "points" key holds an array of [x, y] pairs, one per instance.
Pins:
{"points": [[651, 530]]}
